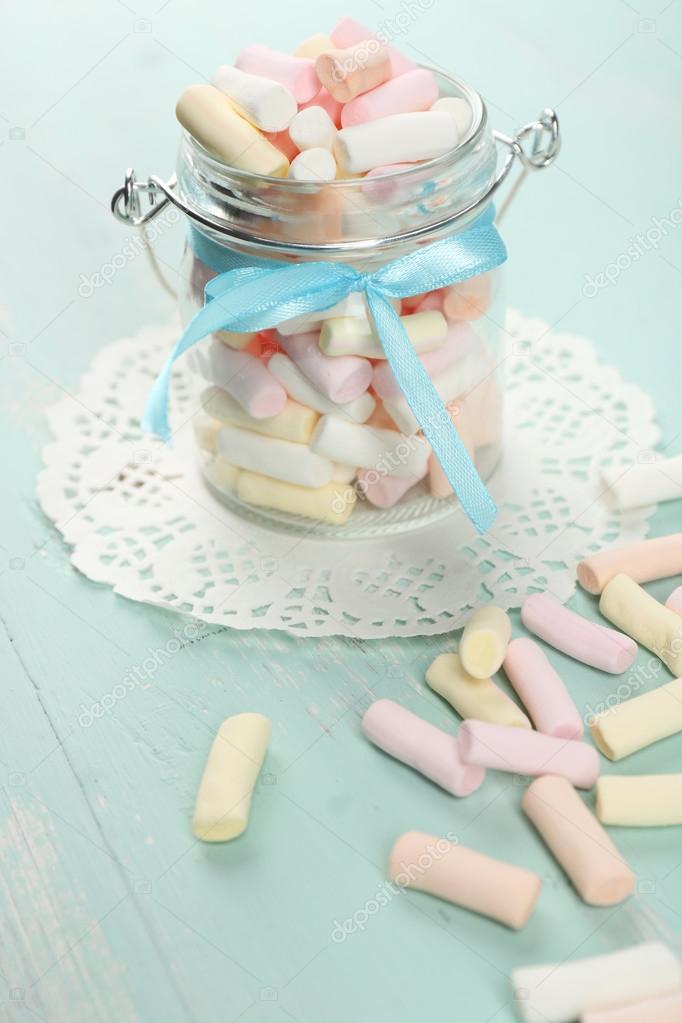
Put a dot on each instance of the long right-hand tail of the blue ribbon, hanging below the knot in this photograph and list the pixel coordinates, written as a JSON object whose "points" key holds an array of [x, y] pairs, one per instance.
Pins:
{"points": [[431, 414]]}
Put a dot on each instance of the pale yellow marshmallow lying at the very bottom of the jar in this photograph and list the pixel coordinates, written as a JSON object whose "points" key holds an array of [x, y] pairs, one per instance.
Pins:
{"points": [[332, 504]]}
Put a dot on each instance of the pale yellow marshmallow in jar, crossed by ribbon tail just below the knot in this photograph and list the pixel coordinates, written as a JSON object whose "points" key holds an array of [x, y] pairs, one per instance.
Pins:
{"points": [[349, 336]]}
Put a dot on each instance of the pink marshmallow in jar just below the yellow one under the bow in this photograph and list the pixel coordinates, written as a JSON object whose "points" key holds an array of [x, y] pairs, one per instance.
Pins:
{"points": [[340, 379]]}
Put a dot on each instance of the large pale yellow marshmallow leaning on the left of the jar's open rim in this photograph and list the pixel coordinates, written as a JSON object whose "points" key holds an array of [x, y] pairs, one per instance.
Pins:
{"points": [[211, 119]]}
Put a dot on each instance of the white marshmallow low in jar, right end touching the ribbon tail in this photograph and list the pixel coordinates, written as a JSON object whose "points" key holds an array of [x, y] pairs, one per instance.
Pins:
{"points": [[384, 451]]}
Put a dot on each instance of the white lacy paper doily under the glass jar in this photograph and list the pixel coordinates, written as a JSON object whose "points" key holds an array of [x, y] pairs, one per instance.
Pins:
{"points": [[140, 519]]}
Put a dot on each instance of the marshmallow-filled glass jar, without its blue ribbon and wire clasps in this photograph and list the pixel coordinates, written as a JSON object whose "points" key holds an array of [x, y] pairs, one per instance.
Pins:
{"points": [[350, 152]]}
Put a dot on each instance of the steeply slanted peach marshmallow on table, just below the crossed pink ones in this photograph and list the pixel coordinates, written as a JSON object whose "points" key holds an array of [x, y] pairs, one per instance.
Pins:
{"points": [[578, 841]]}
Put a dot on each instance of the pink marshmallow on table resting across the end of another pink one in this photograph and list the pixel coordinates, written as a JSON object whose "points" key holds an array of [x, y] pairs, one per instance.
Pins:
{"points": [[521, 752]]}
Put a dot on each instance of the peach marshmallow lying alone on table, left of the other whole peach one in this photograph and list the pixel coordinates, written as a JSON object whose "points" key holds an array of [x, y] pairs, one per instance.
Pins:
{"points": [[472, 880]]}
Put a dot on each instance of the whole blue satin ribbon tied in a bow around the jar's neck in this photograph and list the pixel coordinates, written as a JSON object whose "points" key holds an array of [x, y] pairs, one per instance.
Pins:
{"points": [[255, 295]]}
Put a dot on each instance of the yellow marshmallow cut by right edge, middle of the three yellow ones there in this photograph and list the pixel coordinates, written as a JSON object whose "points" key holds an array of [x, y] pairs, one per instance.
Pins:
{"points": [[640, 722]]}
